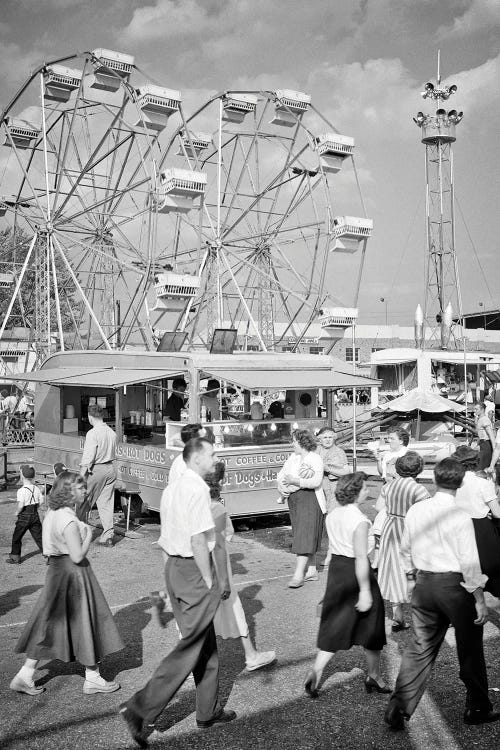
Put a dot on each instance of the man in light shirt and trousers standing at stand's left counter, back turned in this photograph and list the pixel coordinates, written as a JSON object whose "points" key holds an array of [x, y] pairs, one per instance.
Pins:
{"points": [[97, 466]]}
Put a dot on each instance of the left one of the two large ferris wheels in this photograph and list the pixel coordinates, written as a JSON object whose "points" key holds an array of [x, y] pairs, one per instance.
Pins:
{"points": [[77, 172]]}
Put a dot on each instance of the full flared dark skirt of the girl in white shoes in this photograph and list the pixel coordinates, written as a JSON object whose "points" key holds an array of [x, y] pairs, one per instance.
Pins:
{"points": [[71, 620]]}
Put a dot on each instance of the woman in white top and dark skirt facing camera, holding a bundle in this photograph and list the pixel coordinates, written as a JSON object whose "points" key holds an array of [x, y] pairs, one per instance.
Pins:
{"points": [[300, 482]]}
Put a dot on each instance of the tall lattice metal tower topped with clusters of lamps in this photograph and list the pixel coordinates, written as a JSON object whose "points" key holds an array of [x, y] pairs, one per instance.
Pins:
{"points": [[442, 291]]}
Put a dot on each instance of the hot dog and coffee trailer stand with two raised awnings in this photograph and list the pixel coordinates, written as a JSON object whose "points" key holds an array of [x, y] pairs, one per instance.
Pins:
{"points": [[133, 388]]}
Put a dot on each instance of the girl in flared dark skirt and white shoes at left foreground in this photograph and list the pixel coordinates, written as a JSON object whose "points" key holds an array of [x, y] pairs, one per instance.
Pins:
{"points": [[71, 620]]}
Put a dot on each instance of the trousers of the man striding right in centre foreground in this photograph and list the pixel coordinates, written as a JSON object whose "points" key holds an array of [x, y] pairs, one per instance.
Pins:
{"points": [[194, 607]]}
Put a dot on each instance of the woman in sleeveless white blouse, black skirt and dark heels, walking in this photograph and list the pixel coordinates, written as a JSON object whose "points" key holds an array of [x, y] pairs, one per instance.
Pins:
{"points": [[353, 609]]}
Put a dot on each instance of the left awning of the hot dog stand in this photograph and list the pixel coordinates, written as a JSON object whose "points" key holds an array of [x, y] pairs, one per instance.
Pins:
{"points": [[91, 377]]}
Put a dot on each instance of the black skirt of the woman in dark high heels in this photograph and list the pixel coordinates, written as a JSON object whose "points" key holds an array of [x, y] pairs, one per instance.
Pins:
{"points": [[341, 625]]}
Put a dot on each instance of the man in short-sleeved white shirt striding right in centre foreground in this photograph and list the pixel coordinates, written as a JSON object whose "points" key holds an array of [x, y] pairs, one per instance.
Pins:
{"points": [[188, 538]]}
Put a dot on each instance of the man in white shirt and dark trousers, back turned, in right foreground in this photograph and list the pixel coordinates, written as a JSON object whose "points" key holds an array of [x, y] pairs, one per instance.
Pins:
{"points": [[439, 554]]}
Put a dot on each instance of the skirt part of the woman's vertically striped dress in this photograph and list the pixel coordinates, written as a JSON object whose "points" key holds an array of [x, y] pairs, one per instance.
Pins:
{"points": [[391, 576]]}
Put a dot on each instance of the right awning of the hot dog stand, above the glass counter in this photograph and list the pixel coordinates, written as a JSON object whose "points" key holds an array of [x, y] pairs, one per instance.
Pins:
{"points": [[255, 379]]}
